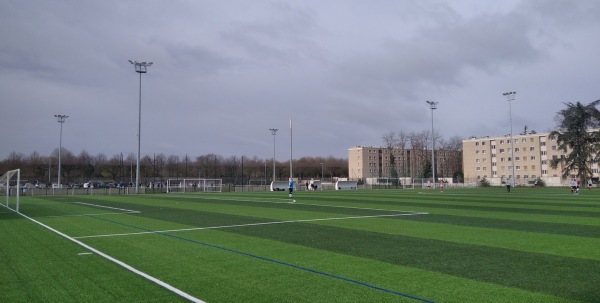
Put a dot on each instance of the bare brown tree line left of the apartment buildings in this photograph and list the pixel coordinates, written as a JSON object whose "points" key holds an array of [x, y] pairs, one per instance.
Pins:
{"points": [[238, 170]]}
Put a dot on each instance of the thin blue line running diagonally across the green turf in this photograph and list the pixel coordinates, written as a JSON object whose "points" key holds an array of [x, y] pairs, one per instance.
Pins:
{"points": [[265, 259]]}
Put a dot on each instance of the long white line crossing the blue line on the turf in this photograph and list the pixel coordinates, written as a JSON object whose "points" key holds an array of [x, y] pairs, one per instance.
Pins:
{"points": [[249, 224]]}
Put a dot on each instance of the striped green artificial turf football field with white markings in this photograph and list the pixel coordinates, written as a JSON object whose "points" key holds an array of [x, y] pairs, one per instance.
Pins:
{"points": [[462, 245]]}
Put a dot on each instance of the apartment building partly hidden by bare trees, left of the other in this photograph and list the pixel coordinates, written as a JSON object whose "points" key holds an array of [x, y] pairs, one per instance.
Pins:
{"points": [[375, 162]]}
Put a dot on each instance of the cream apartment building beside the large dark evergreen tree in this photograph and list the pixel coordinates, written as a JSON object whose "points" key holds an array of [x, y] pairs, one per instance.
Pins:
{"points": [[492, 158]]}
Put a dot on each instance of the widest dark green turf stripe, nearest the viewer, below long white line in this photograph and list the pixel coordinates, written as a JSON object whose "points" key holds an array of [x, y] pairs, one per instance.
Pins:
{"points": [[559, 276]]}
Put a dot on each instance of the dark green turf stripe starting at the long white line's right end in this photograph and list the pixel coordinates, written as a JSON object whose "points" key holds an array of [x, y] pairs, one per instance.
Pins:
{"points": [[527, 226]]}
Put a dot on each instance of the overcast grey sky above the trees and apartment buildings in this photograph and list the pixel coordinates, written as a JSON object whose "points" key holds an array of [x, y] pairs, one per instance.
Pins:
{"points": [[345, 71]]}
